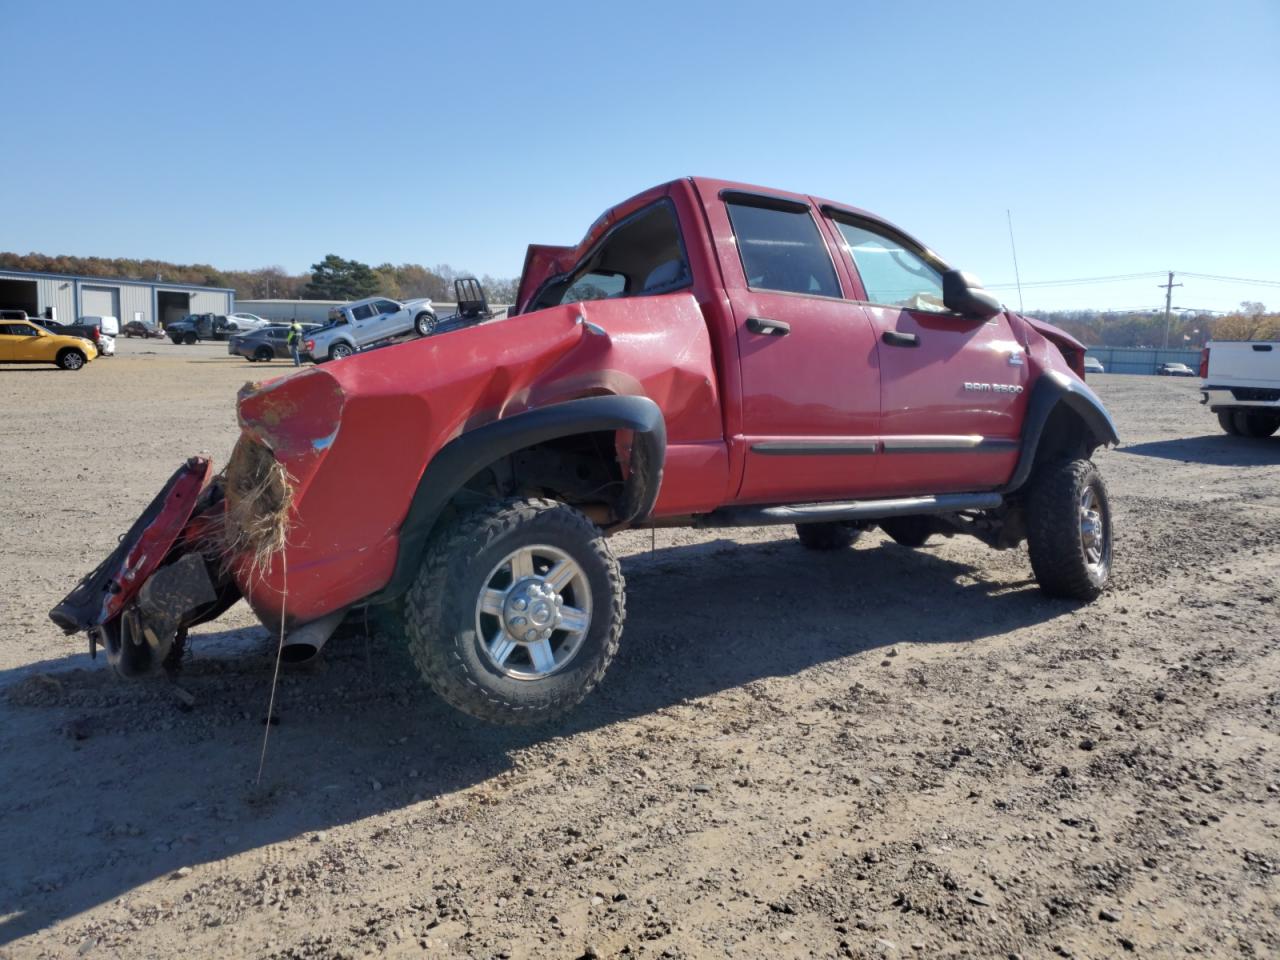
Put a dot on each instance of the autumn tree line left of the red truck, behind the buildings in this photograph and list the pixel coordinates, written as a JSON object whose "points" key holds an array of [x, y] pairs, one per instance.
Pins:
{"points": [[333, 278]]}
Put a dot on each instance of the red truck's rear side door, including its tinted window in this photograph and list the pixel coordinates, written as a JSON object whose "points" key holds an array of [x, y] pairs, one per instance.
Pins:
{"points": [[810, 378]]}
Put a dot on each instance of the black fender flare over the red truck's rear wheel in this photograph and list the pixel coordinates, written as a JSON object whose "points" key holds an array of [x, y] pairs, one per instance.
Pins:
{"points": [[468, 455]]}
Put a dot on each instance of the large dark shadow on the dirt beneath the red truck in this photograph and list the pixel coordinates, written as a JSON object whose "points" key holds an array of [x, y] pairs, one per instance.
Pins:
{"points": [[113, 784]]}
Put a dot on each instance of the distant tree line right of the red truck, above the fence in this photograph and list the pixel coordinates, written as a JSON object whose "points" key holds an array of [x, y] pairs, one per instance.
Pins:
{"points": [[1187, 331]]}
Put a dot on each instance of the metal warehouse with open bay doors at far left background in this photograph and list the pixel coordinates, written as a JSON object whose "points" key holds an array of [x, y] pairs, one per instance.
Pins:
{"points": [[66, 299]]}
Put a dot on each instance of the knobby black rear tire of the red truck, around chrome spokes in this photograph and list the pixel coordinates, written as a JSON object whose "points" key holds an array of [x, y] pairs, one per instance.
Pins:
{"points": [[450, 637]]}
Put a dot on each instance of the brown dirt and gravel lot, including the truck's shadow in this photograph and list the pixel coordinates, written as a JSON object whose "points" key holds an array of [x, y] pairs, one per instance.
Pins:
{"points": [[874, 753]]}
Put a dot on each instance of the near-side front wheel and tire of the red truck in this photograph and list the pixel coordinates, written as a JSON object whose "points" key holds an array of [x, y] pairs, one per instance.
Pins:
{"points": [[1069, 531]]}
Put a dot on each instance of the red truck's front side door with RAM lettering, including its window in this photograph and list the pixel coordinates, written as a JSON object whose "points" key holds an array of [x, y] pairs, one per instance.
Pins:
{"points": [[952, 390]]}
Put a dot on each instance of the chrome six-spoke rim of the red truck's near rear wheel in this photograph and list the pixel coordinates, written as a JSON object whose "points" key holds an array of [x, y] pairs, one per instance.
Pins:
{"points": [[533, 612]]}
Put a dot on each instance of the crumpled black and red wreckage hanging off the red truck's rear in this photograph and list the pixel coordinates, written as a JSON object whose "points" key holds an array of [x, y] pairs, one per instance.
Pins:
{"points": [[163, 578]]}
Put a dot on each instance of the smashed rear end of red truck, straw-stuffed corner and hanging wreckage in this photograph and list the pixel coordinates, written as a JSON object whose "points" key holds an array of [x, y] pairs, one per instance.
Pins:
{"points": [[208, 541]]}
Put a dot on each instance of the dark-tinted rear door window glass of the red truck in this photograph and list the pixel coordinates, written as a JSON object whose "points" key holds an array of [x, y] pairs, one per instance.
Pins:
{"points": [[783, 250]]}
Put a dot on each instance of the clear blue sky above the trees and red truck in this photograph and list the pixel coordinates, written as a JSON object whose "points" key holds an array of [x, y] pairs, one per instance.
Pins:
{"points": [[1126, 136]]}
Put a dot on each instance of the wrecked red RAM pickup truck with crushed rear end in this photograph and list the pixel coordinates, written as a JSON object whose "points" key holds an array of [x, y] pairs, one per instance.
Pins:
{"points": [[710, 355]]}
